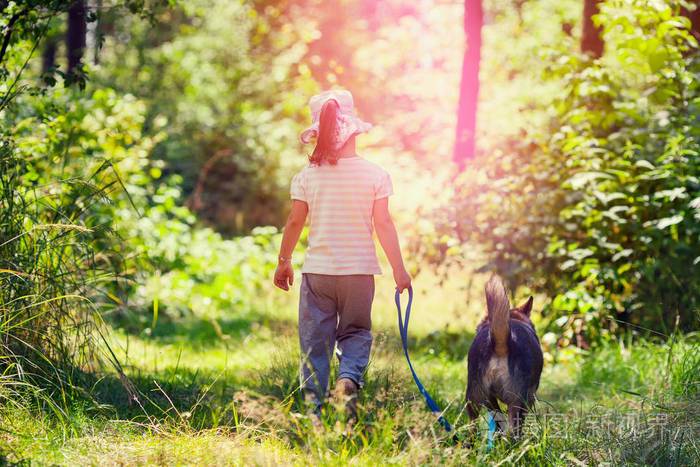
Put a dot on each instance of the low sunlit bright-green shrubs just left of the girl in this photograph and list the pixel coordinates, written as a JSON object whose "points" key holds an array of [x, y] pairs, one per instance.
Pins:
{"points": [[185, 269]]}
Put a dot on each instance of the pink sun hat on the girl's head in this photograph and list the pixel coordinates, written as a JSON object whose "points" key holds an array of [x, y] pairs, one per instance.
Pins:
{"points": [[348, 123]]}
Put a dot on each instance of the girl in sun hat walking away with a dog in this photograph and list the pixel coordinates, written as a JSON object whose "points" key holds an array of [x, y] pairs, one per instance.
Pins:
{"points": [[345, 198]]}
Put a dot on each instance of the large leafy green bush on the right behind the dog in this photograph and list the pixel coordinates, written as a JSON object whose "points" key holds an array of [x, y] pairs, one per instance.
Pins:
{"points": [[599, 209]]}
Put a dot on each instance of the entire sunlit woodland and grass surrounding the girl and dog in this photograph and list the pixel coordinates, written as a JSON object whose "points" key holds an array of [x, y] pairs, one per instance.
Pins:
{"points": [[146, 149]]}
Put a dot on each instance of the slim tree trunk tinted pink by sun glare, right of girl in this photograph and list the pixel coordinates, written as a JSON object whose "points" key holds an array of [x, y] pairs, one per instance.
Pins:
{"points": [[465, 136]]}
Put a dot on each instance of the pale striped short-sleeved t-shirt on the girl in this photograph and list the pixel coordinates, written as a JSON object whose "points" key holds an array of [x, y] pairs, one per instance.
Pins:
{"points": [[340, 199]]}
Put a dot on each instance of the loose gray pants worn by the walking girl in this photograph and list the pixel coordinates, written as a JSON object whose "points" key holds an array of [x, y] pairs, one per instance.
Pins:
{"points": [[334, 310]]}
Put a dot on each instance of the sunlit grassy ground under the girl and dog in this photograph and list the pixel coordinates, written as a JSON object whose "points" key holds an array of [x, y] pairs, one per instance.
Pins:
{"points": [[220, 390]]}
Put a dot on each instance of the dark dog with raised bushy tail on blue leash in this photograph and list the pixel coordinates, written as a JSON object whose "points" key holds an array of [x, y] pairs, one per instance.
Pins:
{"points": [[505, 360]]}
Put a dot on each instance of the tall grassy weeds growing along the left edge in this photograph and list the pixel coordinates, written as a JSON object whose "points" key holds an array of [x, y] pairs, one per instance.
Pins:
{"points": [[51, 283]]}
